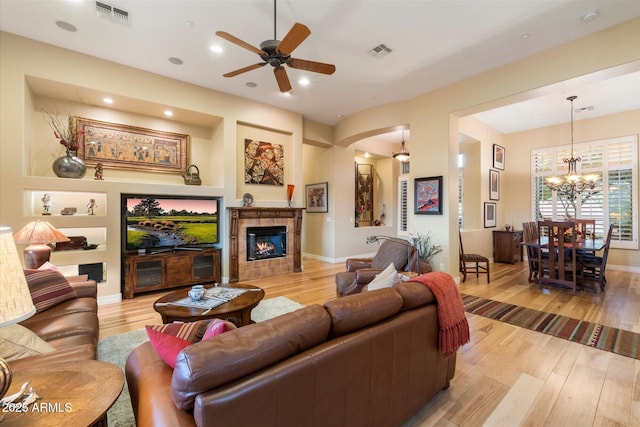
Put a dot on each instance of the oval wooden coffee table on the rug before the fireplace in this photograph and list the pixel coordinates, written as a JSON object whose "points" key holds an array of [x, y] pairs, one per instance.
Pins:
{"points": [[238, 310]]}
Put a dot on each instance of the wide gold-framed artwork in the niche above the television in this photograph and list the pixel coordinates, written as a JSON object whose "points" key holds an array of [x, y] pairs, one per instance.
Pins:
{"points": [[130, 147]]}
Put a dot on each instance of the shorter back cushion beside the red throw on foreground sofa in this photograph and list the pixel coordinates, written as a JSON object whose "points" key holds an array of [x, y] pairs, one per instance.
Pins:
{"points": [[353, 312]]}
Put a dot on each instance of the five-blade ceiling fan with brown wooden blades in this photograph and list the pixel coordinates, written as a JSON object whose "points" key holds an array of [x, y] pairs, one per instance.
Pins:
{"points": [[278, 53]]}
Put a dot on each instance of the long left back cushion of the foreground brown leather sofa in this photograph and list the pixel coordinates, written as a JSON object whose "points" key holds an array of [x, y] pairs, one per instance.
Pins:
{"points": [[234, 354]]}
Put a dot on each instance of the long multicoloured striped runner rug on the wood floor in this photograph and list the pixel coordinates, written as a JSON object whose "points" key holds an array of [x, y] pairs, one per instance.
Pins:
{"points": [[615, 340]]}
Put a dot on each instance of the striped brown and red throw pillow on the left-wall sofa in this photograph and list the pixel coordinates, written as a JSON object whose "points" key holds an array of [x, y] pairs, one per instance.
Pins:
{"points": [[48, 288]]}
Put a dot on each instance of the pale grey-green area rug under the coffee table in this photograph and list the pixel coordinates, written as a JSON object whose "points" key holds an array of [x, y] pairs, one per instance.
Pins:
{"points": [[116, 348]]}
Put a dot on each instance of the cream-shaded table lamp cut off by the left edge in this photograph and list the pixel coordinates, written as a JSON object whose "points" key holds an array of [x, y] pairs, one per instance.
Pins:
{"points": [[16, 304]]}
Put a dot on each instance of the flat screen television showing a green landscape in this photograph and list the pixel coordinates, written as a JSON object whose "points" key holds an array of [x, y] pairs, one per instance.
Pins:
{"points": [[159, 223]]}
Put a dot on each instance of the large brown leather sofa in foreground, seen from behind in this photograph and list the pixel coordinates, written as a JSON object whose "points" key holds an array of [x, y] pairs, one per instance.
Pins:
{"points": [[369, 359]]}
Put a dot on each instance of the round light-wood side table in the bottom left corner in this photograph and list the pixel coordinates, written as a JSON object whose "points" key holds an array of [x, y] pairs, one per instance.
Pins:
{"points": [[71, 394]]}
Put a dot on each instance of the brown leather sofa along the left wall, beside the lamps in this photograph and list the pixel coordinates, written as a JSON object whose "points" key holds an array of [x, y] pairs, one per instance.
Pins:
{"points": [[71, 327]]}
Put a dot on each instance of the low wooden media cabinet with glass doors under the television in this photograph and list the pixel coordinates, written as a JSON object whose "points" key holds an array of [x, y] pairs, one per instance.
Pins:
{"points": [[168, 270]]}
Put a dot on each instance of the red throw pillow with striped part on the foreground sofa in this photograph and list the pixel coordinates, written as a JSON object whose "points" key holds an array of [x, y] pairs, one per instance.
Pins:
{"points": [[170, 339]]}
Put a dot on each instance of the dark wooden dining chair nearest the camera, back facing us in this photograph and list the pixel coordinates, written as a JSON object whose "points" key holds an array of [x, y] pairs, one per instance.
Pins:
{"points": [[561, 267]]}
